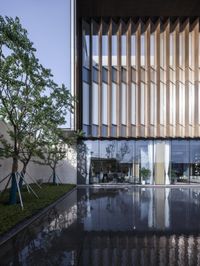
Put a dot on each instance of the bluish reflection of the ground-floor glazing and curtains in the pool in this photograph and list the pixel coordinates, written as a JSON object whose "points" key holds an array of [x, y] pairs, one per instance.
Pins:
{"points": [[146, 210]]}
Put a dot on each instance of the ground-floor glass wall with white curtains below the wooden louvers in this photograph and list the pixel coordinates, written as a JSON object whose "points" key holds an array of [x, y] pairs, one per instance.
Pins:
{"points": [[159, 162]]}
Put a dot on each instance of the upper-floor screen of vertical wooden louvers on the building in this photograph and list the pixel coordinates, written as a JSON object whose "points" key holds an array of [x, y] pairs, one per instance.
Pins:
{"points": [[177, 68]]}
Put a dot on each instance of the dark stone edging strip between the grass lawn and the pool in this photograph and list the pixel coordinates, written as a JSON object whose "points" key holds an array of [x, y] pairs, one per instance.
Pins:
{"points": [[27, 221]]}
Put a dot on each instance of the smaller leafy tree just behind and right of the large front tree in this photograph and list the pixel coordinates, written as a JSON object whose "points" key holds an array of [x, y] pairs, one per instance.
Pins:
{"points": [[47, 118]]}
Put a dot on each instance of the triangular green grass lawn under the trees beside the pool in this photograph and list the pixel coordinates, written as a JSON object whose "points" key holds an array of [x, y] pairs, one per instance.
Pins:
{"points": [[10, 215]]}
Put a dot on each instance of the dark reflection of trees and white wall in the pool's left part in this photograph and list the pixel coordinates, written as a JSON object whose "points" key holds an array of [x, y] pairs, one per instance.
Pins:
{"points": [[39, 244]]}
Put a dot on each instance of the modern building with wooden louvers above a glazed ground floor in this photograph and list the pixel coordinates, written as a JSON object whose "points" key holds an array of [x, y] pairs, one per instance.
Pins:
{"points": [[137, 80]]}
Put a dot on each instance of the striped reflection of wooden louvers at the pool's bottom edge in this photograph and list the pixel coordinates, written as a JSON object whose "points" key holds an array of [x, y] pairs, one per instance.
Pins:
{"points": [[123, 249]]}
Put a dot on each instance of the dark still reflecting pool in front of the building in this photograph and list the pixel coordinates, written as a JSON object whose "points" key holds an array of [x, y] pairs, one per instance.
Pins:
{"points": [[112, 226]]}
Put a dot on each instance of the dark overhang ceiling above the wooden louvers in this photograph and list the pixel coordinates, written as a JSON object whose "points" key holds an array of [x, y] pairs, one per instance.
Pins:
{"points": [[133, 8]]}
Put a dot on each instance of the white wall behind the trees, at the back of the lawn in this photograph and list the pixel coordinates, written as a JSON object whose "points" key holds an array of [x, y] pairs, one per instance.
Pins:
{"points": [[67, 169]]}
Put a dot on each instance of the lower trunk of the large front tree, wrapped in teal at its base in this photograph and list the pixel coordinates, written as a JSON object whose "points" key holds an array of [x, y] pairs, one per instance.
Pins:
{"points": [[13, 189]]}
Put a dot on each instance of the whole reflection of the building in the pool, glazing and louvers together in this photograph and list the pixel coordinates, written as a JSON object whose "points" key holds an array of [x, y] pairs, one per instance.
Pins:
{"points": [[153, 233]]}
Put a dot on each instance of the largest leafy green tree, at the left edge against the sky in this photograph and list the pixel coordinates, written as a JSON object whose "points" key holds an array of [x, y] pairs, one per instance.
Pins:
{"points": [[28, 95]]}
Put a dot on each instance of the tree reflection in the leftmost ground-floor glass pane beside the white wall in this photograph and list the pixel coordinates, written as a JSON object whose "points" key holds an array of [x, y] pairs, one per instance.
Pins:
{"points": [[82, 152]]}
